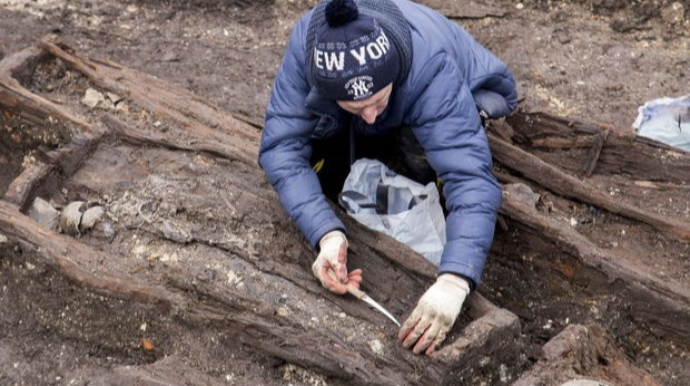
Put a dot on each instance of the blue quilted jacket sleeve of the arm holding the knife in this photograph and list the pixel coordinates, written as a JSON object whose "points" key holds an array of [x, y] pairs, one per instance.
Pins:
{"points": [[284, 151]]}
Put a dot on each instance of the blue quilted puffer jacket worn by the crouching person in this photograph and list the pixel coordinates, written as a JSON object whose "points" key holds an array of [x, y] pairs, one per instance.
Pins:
{"points": [[449, 76]]}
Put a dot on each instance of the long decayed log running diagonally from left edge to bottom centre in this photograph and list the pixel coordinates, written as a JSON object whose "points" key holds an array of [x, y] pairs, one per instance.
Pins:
{"points": [[254, 323]]}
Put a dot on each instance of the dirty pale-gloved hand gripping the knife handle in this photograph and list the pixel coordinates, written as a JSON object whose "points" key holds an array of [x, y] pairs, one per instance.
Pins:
{"points": [[330, 266]]}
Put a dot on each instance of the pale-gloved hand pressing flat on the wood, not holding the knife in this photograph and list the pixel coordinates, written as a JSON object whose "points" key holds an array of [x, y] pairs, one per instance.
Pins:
{"points": [[435, 314]]}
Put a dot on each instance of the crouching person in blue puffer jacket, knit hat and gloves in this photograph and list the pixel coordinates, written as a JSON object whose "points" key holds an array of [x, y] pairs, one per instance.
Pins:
{"points": [[370, 68]]}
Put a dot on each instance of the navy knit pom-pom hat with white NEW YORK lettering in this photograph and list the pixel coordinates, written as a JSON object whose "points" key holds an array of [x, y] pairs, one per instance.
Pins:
{"points": [[353, 57]]}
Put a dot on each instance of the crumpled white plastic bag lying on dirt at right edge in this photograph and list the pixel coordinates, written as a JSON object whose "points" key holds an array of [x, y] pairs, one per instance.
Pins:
{"points": [[666, 120]]}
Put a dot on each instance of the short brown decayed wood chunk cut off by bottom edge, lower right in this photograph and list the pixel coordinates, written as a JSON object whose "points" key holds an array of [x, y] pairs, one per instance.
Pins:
{"points": [[584, 352]]}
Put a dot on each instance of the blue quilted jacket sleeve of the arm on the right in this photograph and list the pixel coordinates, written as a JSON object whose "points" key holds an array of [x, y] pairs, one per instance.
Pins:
{"points": [[446, 123]]}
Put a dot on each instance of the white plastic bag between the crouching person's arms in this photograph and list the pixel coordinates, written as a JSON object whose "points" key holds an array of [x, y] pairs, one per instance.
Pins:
{"points": [[397, 206]]}
